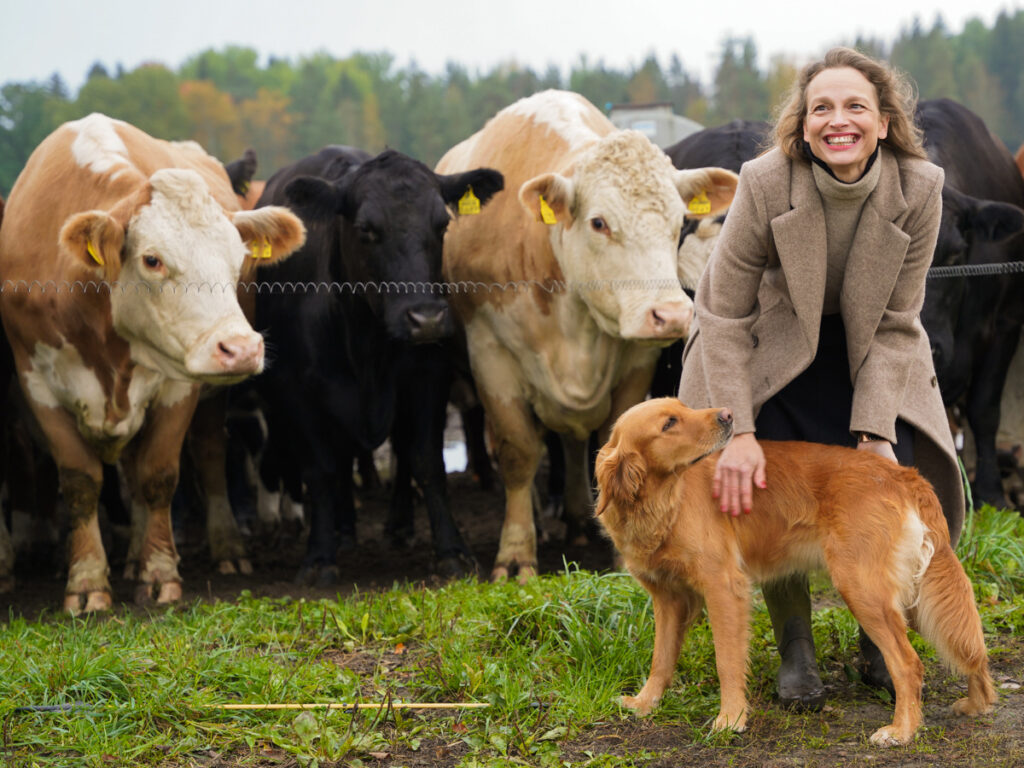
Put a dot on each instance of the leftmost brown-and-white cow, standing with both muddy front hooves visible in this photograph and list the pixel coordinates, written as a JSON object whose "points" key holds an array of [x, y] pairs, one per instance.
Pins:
{"points": [[119, 257]]}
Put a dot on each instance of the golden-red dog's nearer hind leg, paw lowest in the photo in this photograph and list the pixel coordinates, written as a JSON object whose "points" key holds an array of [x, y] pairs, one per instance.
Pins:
{"points": [[873, 605]]}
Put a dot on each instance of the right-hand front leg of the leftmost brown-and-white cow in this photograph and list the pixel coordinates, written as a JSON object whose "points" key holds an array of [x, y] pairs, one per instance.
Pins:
{"points": [[156, 455]]}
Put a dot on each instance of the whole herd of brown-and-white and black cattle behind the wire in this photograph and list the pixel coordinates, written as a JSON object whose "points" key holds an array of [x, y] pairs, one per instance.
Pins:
{"points": [[542, 266]]}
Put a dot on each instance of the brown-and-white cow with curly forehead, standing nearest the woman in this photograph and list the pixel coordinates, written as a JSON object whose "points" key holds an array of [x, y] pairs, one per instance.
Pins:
{"points": [[578, 347]]}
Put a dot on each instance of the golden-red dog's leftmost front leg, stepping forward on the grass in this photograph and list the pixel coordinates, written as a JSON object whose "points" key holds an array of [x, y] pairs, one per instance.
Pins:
{"points": [[675, 611]]}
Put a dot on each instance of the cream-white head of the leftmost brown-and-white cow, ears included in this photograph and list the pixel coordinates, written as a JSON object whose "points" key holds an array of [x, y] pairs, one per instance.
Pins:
{"points": [[175, 297]]}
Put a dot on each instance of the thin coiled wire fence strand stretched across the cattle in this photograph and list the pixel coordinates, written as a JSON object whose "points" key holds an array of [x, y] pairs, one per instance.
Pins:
{"points": [[414, 287]]}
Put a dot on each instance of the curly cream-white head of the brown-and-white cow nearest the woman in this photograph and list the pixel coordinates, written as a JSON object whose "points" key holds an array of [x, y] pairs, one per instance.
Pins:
{"points": [[617, 233]]}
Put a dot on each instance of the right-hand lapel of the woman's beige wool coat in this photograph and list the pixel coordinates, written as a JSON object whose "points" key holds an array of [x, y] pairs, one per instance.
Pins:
{"points": [[876, 259]]}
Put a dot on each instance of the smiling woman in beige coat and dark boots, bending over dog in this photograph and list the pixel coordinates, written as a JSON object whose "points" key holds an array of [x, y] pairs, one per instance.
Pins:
{"points": [[807, 320]]}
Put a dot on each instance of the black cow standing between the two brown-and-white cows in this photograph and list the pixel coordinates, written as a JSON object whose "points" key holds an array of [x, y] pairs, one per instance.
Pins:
{"points": [[364, 360]]}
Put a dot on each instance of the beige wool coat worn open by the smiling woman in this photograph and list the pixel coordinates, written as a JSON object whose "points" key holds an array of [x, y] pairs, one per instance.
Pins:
{"points": [[759, 307]]}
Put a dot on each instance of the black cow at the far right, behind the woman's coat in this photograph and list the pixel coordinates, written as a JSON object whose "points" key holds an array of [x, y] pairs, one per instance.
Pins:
{"points": [[974, 323]]}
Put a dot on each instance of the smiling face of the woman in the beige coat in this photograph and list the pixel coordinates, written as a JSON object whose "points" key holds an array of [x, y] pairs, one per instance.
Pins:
{"points": [[843, 124]]}
